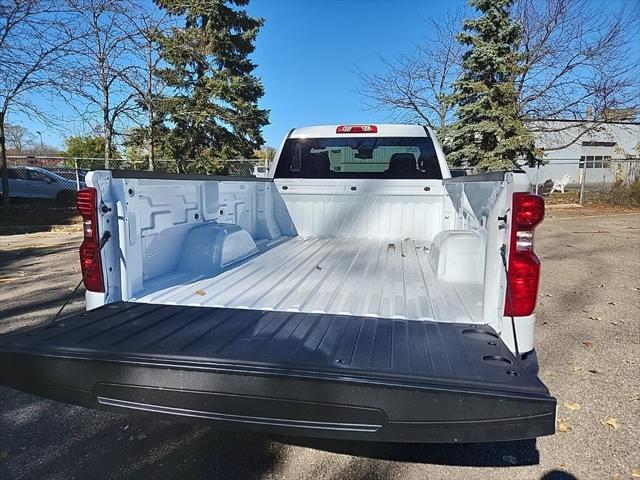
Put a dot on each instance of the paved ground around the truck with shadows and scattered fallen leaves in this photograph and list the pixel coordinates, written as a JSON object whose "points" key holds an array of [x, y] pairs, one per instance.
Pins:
{"points": [[588, 345]]}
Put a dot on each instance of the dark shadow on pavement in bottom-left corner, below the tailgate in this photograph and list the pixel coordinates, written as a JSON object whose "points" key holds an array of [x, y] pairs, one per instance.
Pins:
{"points": [[57, 441]]}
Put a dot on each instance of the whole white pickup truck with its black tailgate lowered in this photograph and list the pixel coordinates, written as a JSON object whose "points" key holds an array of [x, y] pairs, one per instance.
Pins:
{"points": [[356, 292]]}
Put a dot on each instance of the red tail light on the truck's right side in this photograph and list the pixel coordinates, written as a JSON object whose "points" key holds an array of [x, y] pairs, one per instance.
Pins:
{"points": [[524, 267]]}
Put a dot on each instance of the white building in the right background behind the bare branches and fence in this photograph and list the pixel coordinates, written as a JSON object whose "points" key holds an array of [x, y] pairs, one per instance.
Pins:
{"points": [[573, 147]]}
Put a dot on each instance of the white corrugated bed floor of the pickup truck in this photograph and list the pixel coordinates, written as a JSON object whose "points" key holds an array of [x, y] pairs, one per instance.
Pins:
{"points": [[363, 277]]}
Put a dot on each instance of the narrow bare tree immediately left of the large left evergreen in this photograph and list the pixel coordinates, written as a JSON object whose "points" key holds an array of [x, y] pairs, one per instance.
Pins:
{"points": [[142, 77]]}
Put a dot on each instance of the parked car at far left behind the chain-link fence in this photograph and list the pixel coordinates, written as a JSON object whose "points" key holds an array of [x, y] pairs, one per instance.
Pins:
{"points": [[39, 183]]}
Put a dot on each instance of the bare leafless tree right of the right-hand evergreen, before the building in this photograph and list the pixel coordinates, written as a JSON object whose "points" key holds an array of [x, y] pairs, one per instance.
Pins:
{"points": [[577, 64]]}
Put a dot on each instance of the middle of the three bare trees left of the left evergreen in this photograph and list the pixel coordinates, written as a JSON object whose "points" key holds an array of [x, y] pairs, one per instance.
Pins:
{"points": [[102, 54]]}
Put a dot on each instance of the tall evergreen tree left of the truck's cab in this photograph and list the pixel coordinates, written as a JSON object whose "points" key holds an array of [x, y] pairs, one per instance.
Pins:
{"points": [[213, 109]]}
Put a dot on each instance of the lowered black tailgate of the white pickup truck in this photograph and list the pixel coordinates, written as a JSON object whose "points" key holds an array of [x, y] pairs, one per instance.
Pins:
{"points": [[292, 373]]}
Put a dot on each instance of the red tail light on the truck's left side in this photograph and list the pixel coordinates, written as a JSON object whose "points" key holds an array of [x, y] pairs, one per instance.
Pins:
{"points": [[86, 202]]}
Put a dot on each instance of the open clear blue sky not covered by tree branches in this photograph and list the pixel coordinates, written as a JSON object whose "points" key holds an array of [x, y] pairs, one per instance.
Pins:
{"points": [[306, 53]]}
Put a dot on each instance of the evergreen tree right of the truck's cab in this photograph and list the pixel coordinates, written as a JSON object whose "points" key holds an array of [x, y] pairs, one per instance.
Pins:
{"points": [[488, 133]]}
